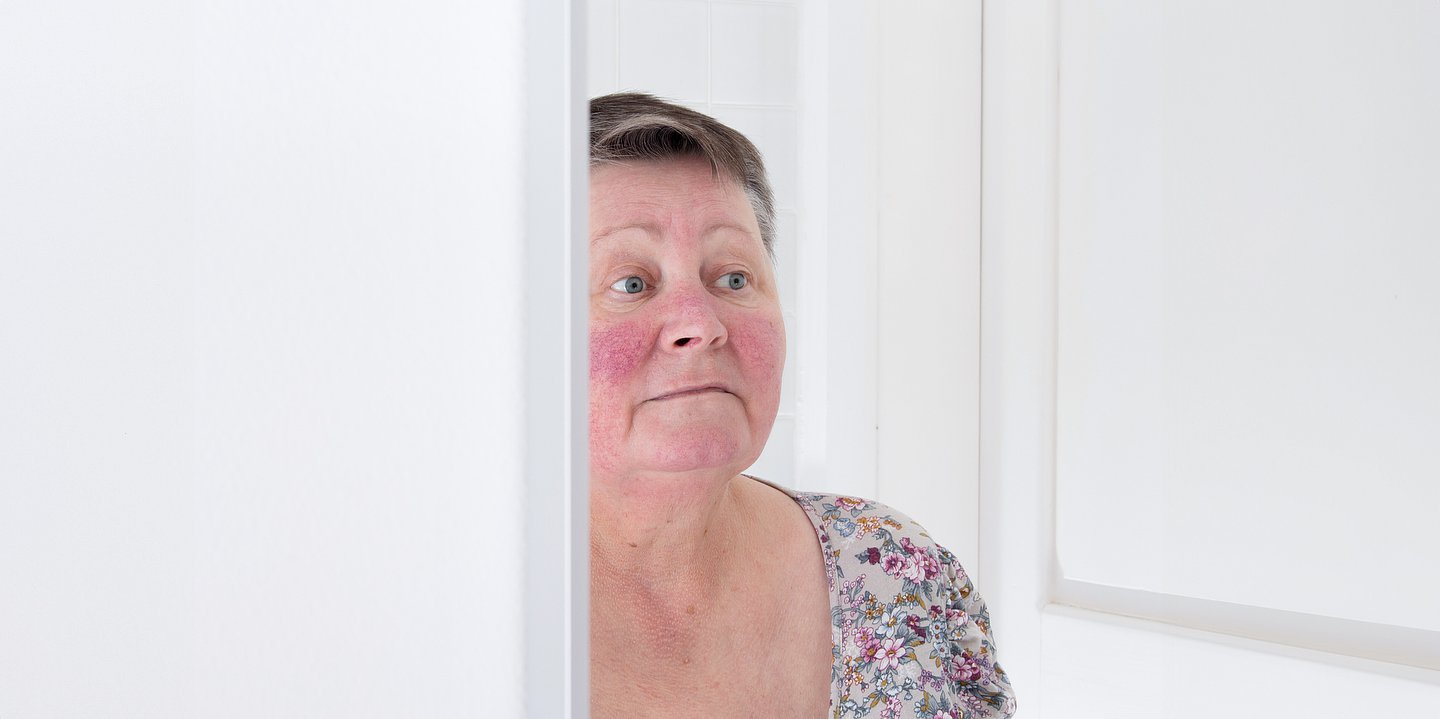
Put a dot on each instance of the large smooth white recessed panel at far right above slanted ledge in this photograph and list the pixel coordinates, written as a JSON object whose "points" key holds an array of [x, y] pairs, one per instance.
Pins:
{"points": [[1249, 319]]}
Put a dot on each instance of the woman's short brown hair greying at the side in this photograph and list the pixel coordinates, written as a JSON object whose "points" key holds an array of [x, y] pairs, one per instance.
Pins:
{"points": [[634, 126]]}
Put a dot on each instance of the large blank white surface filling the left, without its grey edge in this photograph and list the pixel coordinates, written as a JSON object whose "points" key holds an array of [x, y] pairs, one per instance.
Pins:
{"points": [[261, 421]]}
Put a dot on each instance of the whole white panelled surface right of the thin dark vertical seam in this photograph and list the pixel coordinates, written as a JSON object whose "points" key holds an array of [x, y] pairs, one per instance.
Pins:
{"points": [[1206, 357]]}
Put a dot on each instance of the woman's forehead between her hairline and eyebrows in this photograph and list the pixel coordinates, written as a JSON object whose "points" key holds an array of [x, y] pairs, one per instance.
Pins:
{"points": [[683, 195]]}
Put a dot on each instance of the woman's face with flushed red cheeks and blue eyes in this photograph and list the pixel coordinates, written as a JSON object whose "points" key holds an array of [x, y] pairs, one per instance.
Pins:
{"points": [[686, 335]]}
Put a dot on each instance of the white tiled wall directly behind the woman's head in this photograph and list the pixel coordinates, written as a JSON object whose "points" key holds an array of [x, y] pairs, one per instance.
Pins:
{"points": [[735, 61]]}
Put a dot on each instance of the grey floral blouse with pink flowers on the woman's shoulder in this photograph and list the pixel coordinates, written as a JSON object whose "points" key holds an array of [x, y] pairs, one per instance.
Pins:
{"points": [[912, 639]]}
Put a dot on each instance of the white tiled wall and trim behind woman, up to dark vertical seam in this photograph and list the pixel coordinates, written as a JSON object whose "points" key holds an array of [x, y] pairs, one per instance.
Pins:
{"points": [[872, 136]]}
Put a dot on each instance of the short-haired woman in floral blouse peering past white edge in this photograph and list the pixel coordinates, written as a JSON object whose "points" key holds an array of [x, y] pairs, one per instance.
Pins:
{"points": [[711, 594]]}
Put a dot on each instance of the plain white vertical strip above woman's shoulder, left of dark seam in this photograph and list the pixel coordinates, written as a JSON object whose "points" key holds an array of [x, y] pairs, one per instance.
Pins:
{"points": [[928, 267]]}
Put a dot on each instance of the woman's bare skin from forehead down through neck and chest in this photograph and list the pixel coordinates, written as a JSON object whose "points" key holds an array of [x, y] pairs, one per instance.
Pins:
{"points": [[709, 594]]}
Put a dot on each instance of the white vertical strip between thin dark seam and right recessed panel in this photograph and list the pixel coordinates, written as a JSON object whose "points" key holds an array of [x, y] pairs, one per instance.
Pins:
{"points": [[1017, 328]]}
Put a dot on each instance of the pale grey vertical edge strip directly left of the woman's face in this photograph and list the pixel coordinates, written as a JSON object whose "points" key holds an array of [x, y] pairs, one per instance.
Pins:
{"points": [[557, 331]]}
